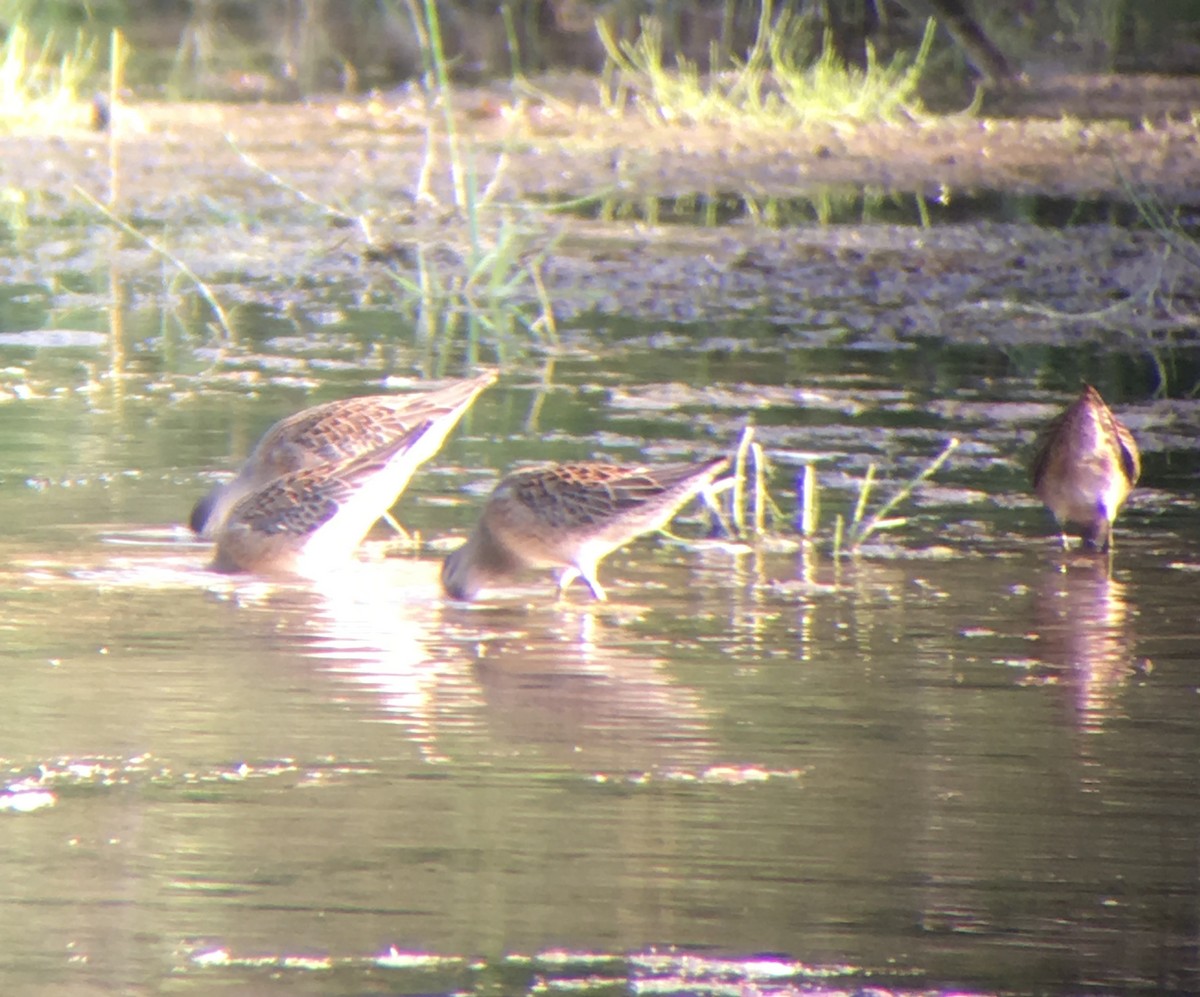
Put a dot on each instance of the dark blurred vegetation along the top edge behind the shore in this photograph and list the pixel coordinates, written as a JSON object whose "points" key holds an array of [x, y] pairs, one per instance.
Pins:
{"points": [[291, 49]]}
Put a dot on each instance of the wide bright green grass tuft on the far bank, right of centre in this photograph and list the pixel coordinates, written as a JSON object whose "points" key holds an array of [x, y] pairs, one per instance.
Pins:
{"points": [[775, 86]]}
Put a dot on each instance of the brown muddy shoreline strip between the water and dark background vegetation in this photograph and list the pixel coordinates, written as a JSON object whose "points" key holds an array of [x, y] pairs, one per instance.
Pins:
{"points": [[265, 203]]}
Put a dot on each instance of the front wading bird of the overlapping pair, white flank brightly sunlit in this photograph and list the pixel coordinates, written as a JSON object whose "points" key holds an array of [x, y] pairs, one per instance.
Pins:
{"points": [[309, 521]]}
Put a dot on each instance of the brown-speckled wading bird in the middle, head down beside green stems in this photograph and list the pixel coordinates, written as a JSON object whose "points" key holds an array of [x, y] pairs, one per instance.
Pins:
{"points": [[571, 516]]}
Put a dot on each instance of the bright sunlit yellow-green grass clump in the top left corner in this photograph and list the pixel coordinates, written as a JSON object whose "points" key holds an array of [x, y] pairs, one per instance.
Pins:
{"points": [[40, 82]]}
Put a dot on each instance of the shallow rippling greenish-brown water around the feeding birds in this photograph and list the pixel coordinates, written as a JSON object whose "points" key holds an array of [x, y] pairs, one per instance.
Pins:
{"points": [[964, 761]]}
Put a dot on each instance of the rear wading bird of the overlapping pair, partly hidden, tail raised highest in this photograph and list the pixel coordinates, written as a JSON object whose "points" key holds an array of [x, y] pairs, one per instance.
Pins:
{"points": [[337, 433]]}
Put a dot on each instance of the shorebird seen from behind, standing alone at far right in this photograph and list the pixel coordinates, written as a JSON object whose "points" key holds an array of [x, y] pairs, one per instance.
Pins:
{"points": [[1085, 465]]}
